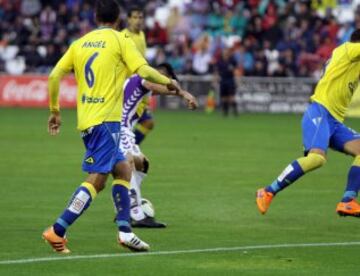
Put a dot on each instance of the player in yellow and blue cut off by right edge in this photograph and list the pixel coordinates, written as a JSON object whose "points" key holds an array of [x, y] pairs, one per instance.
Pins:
{"points": [[323, 127]]}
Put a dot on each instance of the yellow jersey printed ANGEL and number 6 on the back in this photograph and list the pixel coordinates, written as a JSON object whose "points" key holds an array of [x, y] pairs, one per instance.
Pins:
{"points": [[101, 59]]}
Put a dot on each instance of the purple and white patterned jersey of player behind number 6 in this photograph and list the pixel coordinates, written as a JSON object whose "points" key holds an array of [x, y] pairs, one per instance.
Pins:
{"points": [[134, 93]]}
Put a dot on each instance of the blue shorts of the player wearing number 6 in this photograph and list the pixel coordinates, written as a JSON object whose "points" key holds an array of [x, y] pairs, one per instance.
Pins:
{"points": [[102, 148]]}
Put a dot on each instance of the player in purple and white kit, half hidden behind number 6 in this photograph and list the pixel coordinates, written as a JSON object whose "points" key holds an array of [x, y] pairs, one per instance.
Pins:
{"points": [[135, 90]]}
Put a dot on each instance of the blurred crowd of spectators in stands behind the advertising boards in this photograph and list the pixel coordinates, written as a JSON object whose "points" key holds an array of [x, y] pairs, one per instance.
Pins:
{"points": [[264, 37]]}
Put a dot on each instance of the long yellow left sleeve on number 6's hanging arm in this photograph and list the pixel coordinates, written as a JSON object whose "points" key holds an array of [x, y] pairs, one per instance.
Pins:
{"points": [[64, 66]]}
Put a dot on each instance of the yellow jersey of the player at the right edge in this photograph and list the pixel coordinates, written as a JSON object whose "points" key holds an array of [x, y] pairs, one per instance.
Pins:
{"points": [[340, 80]]}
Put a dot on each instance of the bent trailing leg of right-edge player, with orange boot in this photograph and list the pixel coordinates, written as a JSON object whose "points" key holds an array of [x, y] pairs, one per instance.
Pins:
{"points": [[316, 136]]}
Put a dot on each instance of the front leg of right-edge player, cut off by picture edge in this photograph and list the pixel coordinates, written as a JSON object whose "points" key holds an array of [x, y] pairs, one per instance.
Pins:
{"points": [[348, 141]]}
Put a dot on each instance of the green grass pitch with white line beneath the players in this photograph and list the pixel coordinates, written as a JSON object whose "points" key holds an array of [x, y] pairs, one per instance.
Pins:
{"points": [[204, 173]]}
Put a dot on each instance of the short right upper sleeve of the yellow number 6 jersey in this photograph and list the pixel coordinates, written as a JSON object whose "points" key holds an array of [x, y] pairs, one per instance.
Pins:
{"points": [[131, 56]]}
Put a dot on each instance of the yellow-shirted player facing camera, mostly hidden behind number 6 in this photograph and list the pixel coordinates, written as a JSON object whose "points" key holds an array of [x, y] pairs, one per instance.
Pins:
{"points": [[134, 29]]}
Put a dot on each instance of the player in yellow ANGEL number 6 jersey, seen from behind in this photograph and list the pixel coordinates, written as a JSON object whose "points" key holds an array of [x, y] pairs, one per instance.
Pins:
{"points": [[101, 60]]}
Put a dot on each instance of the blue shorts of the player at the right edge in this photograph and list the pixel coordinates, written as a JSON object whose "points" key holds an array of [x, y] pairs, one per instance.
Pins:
{"points": [[321, 130]]}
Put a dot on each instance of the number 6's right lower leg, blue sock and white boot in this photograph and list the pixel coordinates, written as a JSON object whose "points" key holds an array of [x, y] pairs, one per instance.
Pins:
{"points": [[121, 199]]}
